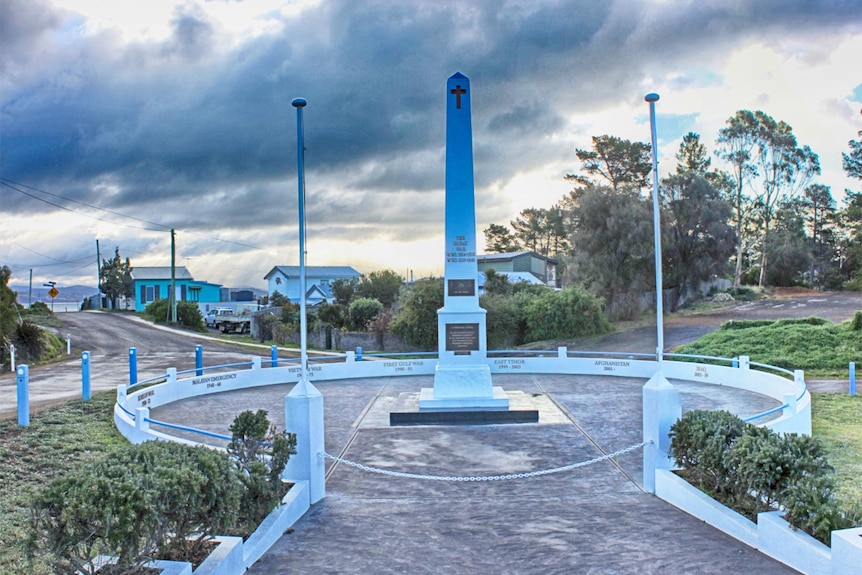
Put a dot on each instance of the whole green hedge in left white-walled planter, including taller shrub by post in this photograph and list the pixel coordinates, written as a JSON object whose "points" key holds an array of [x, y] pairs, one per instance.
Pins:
{"points": [[160, 500]]}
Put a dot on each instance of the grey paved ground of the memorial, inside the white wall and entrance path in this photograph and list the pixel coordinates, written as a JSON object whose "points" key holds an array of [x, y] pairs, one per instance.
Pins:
{"points": [[594, 519]]}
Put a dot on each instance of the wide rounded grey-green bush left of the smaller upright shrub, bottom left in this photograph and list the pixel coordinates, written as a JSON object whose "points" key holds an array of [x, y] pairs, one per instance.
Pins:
{"points": [[155, 499]]}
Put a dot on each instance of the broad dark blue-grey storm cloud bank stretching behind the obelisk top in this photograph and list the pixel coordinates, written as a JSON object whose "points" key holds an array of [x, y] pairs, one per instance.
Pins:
{"points": [[187, 120]]}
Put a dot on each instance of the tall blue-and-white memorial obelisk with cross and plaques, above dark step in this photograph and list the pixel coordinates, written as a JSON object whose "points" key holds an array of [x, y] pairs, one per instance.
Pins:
{"points": [[462, 380]]}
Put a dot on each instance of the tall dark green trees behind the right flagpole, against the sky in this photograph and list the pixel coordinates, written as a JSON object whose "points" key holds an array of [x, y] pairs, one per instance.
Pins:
{"points": [[760, 217]]}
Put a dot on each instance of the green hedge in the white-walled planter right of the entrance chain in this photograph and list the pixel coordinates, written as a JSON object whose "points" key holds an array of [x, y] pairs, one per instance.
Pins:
{"points": [[753, 469]]}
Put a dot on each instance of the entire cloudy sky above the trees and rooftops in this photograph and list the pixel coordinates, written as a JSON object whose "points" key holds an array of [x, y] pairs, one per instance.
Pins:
{"points": [[122, 120]]}
